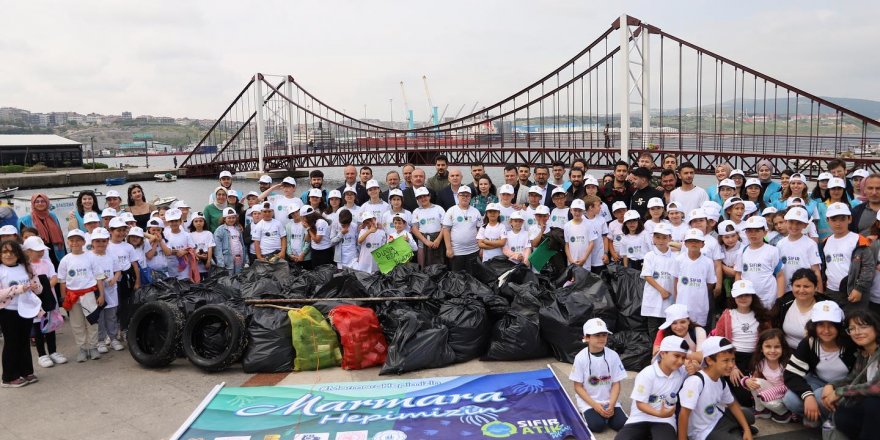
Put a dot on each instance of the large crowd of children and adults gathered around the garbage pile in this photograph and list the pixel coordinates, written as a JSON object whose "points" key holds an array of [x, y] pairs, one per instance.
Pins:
{"points": [[766, 283]]}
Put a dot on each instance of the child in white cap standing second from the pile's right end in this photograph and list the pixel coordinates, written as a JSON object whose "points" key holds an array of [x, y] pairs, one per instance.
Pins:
{"points": [[695, 278]]}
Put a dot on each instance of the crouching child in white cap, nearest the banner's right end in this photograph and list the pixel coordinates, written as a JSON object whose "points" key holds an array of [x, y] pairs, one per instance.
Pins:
{"points": [[597, 373]]}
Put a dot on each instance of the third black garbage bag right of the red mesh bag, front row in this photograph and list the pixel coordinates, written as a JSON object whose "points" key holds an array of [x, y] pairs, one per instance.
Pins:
{"points": [[517, 335]]}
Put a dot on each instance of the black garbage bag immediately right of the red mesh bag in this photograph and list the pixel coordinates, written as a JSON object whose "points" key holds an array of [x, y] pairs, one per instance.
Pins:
{"points": [[419, 343]]}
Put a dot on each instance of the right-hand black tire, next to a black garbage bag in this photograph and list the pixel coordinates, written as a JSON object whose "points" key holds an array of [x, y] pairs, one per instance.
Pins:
{"points": [[226, 325]]}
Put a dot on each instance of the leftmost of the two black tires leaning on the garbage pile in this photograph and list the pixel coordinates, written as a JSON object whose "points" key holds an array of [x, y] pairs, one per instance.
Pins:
{"points": [[154, 334]]}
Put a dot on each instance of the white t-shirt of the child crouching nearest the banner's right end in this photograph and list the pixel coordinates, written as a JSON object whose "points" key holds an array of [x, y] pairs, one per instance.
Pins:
{"points": [[597, 374]]}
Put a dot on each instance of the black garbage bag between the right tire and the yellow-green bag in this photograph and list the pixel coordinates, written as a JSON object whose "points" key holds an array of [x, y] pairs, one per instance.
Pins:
{"points": [[270, 342]]}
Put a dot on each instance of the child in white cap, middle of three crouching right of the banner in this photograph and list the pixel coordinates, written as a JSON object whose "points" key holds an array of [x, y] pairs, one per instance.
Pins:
{"points": [[655, 394]]}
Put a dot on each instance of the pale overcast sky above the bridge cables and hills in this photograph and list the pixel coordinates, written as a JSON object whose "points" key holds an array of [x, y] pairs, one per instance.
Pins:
{"points": [[190, 58]]}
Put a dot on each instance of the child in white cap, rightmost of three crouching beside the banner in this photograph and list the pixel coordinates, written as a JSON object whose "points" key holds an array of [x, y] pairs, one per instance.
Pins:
{"points": [[707, 404]]}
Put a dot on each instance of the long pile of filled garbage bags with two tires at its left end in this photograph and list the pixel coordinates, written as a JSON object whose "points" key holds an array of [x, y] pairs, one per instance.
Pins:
{"points": [[495, 311]]}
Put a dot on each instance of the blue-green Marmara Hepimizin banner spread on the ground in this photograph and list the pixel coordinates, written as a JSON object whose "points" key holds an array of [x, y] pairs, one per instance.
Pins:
{"points": [[523, 405]]}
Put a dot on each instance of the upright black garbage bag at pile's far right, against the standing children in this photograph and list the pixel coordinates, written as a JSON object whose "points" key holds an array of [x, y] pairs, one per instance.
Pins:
{"points": [[627, 287]]}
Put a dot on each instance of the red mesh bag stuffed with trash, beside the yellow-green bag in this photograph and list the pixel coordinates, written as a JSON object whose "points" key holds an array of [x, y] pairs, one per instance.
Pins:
{"points": [[363, 344]]}
